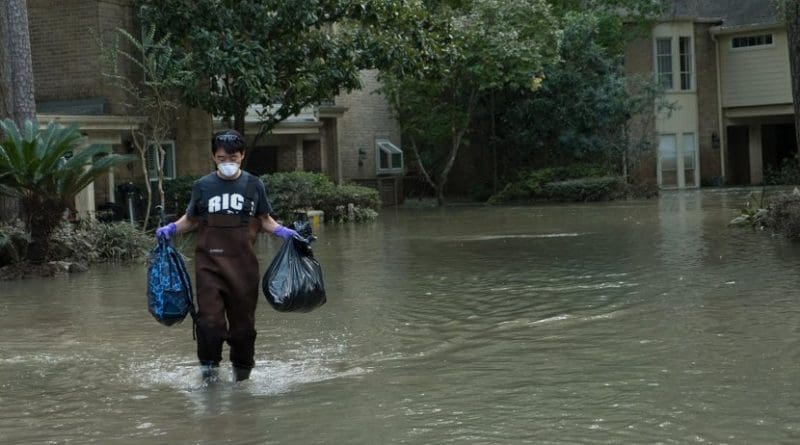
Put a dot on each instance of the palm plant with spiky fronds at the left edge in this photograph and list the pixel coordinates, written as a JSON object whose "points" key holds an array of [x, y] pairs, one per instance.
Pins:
{"points": [[45, 169]]}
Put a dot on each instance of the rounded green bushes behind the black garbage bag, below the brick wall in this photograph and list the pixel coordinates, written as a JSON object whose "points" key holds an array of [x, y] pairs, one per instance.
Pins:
{"points": [[292, 191]]}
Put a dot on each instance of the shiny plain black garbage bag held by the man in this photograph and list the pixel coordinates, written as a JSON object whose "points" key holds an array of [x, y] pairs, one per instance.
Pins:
{"points": [[293, 280]]}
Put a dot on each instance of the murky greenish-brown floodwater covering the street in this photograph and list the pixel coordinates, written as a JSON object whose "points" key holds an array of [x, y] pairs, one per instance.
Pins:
{"points": [[611, 323]]}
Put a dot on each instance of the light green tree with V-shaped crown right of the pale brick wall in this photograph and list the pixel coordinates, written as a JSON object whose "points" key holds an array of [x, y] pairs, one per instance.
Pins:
{"points": [[473, 48]]}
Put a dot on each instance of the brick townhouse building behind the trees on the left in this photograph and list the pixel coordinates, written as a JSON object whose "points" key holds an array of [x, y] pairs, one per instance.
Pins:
{"points": [[343, 139]]}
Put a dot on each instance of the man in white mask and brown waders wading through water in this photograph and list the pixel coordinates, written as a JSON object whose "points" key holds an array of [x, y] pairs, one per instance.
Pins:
{"points": [[228, 207]]}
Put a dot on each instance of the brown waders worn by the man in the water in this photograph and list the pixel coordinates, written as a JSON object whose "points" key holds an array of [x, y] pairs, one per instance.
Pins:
{"points": [[227, 290]]}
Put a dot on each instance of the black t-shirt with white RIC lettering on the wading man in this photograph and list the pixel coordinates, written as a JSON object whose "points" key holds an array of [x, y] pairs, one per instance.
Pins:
{"points": [[212, 194]]}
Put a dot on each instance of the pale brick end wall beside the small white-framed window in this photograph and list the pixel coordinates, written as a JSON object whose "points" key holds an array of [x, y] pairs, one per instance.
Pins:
{"points": [[367, 118]]}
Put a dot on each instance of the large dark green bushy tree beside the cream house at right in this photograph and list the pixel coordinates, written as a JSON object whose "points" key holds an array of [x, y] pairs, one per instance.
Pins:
{"points": [[582, 109]]}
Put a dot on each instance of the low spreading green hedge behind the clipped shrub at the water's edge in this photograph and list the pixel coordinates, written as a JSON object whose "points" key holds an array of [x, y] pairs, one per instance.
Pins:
{"points": [[531, 184]]}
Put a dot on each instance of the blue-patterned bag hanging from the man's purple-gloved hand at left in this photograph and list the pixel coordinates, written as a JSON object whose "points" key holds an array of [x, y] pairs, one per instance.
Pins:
{"points": [[169, 289]]}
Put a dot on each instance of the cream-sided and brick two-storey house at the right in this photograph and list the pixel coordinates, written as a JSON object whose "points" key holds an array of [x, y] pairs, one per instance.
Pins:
{"points": [[725, 67]]}
